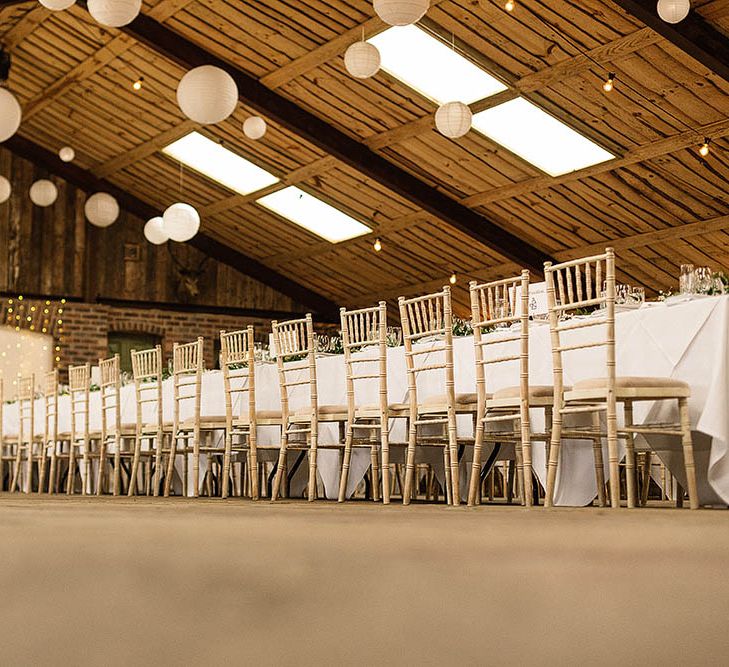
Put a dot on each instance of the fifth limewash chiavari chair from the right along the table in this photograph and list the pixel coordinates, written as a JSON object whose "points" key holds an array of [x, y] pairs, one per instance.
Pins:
{"points": [[296, 338]]}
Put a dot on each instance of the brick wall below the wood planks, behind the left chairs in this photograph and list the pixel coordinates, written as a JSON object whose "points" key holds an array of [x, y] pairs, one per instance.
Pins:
{"points": [[86, 328]]}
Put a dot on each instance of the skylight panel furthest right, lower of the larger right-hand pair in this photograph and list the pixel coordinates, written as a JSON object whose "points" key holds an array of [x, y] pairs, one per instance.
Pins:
{"points": [[539, 138]]}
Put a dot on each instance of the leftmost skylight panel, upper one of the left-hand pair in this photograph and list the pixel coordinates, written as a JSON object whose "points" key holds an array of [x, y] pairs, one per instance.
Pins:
{"points": [[219, 164]]}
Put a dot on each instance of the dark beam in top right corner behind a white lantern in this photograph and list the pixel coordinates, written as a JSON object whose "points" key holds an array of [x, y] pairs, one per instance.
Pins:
{"points": [[694, 35]]}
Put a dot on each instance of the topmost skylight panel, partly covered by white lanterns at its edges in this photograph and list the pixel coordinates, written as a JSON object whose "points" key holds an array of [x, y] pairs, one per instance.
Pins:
{"points": [[432, 67]]}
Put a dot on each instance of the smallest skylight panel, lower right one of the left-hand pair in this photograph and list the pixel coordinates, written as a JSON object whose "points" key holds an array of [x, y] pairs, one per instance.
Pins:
{"points": [[313, 214]]}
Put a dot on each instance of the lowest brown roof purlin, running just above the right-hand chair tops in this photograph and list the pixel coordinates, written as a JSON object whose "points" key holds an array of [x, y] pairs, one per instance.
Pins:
{"points": [[487, 272]]}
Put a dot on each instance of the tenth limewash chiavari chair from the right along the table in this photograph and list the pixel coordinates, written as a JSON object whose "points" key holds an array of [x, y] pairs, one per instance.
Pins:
{"points": [[79, 382]]}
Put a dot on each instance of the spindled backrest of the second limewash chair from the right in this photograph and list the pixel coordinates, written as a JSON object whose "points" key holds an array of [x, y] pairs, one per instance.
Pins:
{"points": [[500, 303]]}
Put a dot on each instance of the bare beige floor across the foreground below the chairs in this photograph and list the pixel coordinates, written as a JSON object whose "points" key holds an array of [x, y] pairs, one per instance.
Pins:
{"points": [[144, 581]]}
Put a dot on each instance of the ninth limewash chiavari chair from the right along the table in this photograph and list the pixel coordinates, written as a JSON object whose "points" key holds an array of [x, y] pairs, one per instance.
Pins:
{"points": [[112, 432]]}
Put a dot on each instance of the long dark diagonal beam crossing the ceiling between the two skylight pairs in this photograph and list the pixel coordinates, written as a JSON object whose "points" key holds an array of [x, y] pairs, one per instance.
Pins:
{"points": [[340, 145]]}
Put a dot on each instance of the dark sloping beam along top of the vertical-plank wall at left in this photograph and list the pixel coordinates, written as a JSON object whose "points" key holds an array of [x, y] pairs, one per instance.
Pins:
{"points": [[86, 181]]}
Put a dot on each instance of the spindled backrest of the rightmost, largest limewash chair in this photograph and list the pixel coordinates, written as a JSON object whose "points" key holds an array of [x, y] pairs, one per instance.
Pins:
{"points": [[575, 285]]}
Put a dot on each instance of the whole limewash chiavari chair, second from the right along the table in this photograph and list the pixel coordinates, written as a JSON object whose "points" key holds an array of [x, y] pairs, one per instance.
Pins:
{"points": [[503, 303]]}
